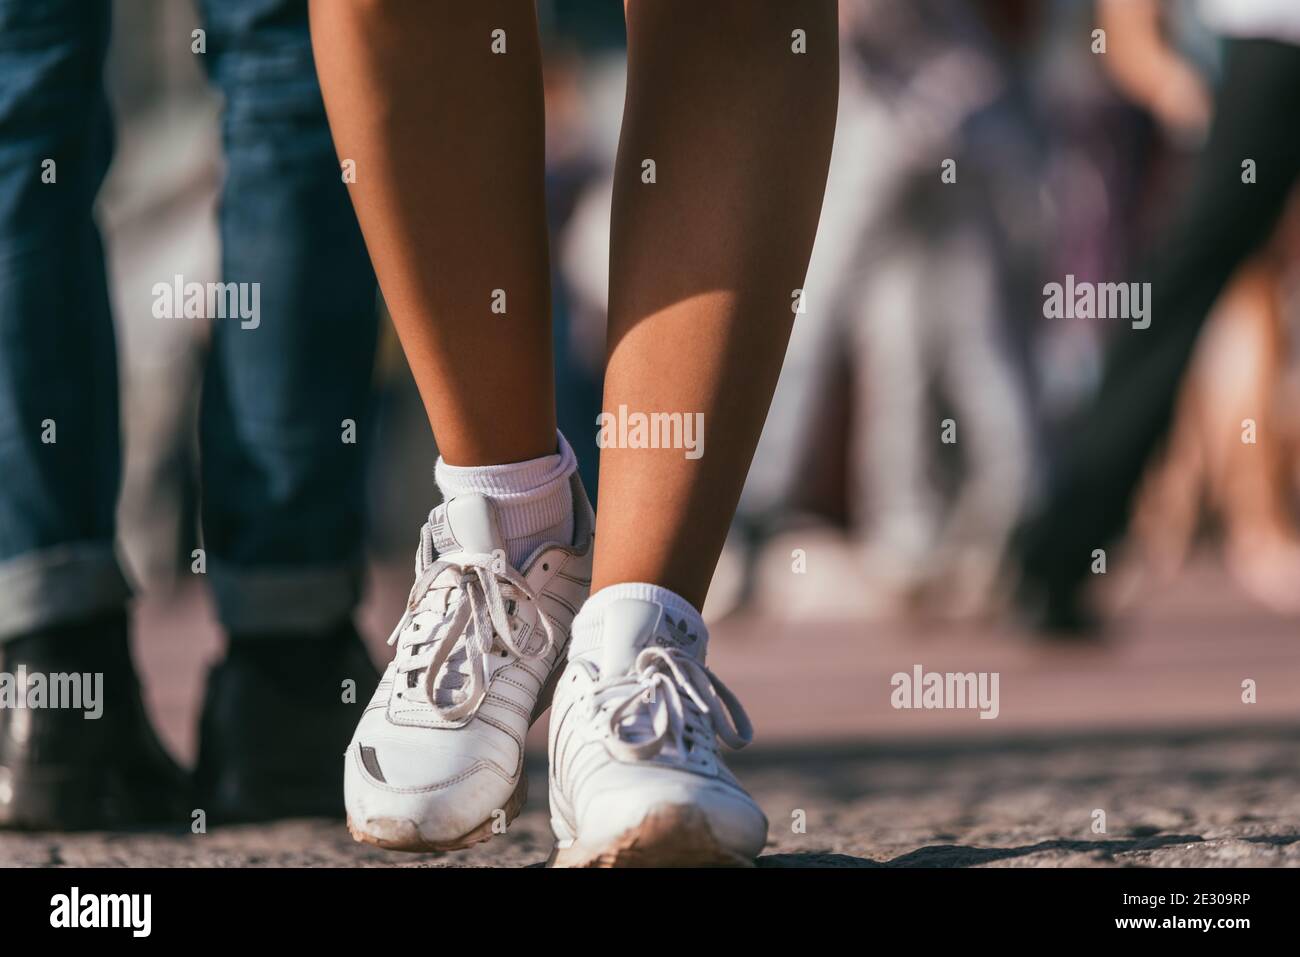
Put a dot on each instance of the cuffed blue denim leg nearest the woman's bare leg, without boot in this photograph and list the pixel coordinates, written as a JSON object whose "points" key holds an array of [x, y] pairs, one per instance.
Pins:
{"points": [[283, 492]]}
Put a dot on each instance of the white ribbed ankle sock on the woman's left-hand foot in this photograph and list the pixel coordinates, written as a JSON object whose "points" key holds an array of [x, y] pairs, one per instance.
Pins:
{"points": [[534, 500]]}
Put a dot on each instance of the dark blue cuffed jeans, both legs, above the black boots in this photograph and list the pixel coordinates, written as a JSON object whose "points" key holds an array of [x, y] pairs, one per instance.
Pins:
{"points": [[283, 493]]}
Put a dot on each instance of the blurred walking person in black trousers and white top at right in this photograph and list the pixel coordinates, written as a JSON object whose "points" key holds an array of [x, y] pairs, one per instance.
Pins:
{"points": [[1228, 215]]}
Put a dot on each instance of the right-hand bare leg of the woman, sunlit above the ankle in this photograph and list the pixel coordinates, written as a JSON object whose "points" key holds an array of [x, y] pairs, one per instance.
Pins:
{"points": [[705, 262]]}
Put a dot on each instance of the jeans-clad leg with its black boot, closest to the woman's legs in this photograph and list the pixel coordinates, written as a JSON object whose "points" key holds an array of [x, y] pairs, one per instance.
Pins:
{"points": [[285, 426]]}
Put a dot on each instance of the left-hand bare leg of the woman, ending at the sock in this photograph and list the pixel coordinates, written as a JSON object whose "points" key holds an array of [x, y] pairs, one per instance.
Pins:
{"points": [[448, 138]]}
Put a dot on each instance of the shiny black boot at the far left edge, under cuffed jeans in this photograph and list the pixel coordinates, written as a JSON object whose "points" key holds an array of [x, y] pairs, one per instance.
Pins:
{"points": [[62, 770]]}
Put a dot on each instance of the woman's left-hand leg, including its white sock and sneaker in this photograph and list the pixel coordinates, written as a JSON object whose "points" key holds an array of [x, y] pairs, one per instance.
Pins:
{"points": [[440, 105]]}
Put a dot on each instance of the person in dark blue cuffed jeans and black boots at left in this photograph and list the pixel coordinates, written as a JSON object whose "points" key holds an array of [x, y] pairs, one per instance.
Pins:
{"points": [[283, 495]]}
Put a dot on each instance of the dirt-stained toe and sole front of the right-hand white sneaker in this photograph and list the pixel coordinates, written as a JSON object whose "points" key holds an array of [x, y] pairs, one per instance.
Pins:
{"points": [[669, 837]]}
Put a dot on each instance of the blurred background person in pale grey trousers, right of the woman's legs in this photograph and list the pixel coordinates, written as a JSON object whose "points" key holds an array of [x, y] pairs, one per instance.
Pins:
{"points": [[933, 292]]}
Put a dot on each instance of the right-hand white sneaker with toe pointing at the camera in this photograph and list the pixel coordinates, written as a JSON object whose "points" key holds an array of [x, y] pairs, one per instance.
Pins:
{"points": [[636, 778]]}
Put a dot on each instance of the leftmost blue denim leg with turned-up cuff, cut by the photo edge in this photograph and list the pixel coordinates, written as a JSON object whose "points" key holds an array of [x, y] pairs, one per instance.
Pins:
{"points": [[59, 430]]}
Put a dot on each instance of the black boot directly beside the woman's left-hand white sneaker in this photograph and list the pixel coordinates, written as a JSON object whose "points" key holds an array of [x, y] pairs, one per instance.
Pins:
{"points": [[276, 724]]}
